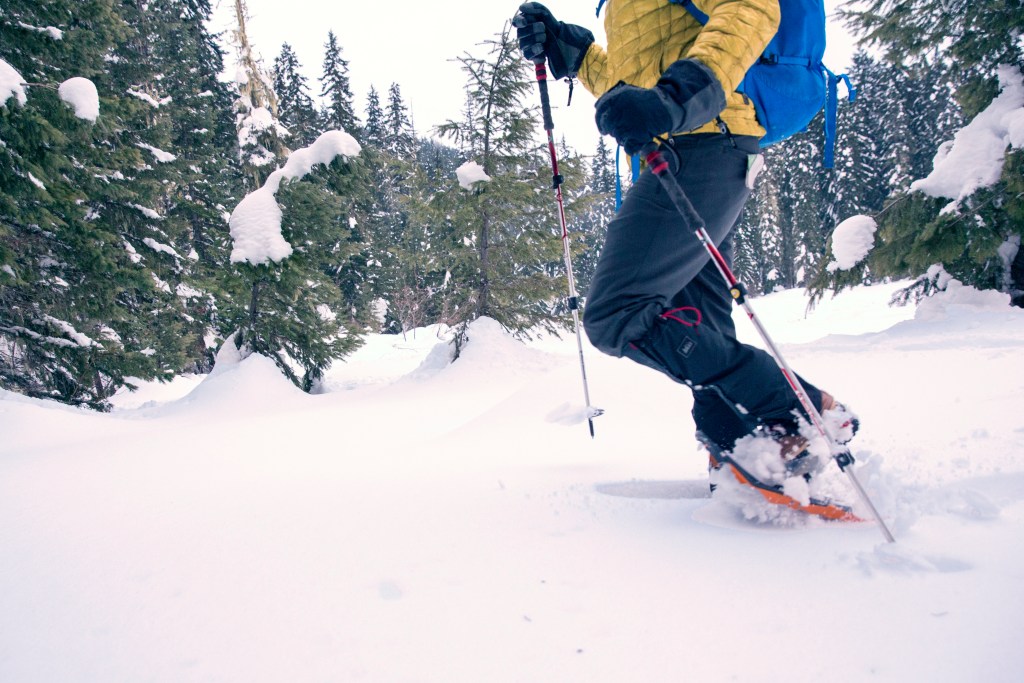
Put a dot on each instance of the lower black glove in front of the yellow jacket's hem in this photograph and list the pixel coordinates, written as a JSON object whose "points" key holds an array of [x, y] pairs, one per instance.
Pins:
{"points": [[688, 97]]}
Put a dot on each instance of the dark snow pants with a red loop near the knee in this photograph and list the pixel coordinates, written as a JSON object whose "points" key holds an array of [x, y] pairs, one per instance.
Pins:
{"points": [[658, 300]]}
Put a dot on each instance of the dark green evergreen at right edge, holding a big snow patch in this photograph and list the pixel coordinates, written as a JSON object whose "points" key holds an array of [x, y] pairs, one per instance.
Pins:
{"points": [[969, 41]]}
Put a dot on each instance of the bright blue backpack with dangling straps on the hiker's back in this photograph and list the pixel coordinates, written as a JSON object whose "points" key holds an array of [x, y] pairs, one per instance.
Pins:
{"points": [[789, 86]]}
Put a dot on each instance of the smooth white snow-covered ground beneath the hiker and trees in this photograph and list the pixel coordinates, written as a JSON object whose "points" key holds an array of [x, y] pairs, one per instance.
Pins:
{"points": [[456, 524]]}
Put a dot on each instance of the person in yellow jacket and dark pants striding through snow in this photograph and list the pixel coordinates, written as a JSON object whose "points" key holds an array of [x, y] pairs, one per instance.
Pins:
{"points": [[656, 297]]}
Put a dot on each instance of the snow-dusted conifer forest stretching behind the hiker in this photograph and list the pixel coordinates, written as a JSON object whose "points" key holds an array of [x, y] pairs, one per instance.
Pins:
{"points": [[116, 248]]}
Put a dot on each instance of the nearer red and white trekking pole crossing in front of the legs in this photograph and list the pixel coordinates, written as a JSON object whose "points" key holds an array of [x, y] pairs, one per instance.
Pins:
{"points": [[660, 167]]}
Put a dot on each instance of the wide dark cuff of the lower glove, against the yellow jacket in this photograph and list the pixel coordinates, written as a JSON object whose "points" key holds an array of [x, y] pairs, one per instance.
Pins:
{"points": [[693, 95]]}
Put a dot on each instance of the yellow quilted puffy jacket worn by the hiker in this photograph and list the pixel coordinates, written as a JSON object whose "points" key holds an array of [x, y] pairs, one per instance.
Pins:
{"points": [[647, 36]]}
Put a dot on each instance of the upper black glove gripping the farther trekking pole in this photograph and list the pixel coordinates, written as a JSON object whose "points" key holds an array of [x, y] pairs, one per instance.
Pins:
{"points": [[544, 37]]}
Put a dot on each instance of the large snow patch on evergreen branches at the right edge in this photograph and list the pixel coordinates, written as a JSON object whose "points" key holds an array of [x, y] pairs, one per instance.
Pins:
{"points": [[974, 159]]}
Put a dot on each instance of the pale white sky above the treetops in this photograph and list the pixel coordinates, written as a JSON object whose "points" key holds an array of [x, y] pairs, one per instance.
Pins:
{"points": [[415, 44]]}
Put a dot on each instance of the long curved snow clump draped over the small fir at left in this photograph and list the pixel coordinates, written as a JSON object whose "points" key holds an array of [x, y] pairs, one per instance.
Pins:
{"points": [[255, 224]]}
